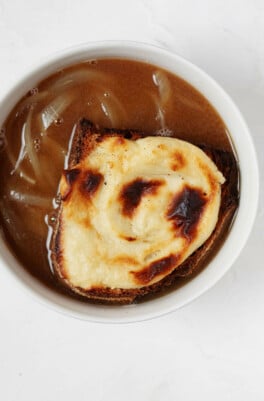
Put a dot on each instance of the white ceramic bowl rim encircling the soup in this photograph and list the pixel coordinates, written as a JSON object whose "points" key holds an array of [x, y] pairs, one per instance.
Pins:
{"points": [[249, 184]]}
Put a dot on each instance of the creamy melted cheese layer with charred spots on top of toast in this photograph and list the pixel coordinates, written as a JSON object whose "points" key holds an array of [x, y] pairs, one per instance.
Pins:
{"points": [[132, 225]]}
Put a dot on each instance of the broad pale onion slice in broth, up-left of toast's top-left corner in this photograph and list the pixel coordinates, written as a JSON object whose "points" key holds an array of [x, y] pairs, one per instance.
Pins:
{"points": [[52, 112]]}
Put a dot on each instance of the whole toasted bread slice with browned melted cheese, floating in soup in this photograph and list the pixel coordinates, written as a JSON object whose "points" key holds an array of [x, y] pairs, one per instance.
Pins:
{"points": [[138, 212]]}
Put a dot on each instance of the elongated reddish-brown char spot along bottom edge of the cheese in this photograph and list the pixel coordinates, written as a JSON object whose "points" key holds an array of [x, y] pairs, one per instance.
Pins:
{"points": [[154, 269]]}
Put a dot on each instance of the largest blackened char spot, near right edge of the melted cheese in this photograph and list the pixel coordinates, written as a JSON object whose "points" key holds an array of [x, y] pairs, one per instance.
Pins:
{"points": [[185, 211]]}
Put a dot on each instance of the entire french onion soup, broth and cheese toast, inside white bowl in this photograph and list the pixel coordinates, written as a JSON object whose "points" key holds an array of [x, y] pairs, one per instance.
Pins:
{"points": [[118, 180]]}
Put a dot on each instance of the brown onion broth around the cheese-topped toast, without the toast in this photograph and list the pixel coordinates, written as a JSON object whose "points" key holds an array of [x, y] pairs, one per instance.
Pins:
{"points": [[110, 92]]}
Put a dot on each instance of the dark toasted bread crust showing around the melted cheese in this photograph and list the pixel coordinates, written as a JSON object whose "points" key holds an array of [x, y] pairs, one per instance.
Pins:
{"points": [[86, 137]]}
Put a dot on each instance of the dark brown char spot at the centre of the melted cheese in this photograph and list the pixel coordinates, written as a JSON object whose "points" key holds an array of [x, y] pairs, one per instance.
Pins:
{"points": [[133, 192]]}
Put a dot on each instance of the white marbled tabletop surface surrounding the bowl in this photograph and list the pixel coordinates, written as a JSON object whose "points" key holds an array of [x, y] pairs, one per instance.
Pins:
{"points": [[211, 349]]}
